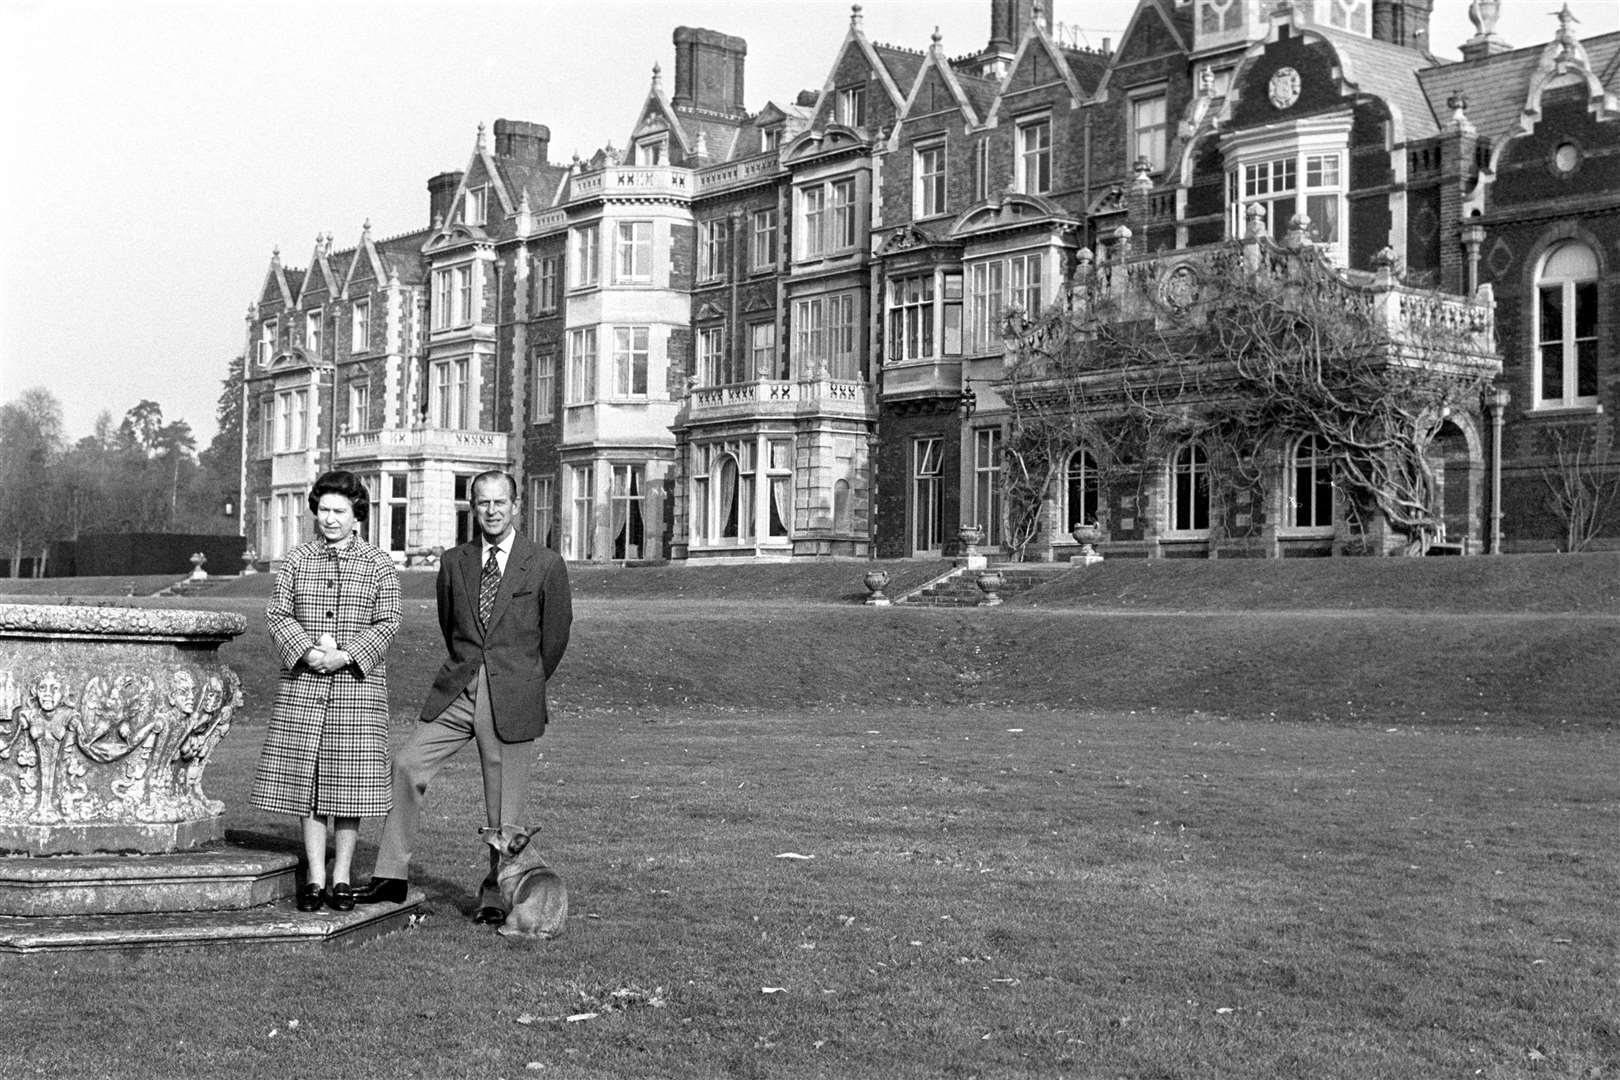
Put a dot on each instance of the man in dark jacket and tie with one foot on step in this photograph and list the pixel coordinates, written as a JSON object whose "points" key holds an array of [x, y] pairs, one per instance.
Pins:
{"points": [[505, 611]]}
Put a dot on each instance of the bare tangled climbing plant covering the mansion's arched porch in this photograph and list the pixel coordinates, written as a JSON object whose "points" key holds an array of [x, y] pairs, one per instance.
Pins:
{"points": [[1242, 349]]}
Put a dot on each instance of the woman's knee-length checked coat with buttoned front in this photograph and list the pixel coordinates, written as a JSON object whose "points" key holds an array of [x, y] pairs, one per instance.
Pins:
{"points": [[326, 750]]}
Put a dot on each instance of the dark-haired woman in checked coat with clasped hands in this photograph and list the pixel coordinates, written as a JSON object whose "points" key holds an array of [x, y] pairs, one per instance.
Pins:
{"points": [[333, 614]]}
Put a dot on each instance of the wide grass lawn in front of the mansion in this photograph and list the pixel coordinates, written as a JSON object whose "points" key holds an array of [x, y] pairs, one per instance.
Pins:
{"points": [[1350, 827]]}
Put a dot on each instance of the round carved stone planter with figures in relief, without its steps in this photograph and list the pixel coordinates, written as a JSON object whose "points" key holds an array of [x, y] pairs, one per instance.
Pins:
{"points": [[108, 720]]}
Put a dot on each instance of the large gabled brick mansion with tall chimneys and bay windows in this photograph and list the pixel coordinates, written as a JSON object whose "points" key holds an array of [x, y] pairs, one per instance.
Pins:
{"points": [[777, 333]]}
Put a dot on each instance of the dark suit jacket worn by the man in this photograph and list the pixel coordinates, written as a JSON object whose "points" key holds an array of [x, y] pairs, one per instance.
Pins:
{"points": [[522, 645]]}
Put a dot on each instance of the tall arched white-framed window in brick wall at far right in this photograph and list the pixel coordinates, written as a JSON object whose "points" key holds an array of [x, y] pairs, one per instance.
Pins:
{"points": [[1567, 328]]}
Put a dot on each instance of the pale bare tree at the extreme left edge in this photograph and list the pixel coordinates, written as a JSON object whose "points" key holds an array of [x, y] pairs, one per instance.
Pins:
{"points": [[30, 446]]}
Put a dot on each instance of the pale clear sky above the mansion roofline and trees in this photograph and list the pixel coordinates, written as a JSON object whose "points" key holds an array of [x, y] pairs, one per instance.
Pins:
{"points": [[158, 151]]}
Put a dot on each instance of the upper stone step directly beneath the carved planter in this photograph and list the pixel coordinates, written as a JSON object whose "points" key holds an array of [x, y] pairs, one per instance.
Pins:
{"points": [[142, 885]]}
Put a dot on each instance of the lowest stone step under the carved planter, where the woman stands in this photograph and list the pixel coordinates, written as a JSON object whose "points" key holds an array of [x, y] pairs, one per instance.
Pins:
{"points": [[276, 924]]}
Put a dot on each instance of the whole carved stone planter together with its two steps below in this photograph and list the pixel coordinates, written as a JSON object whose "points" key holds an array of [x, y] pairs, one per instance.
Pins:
{"points": [[108, 721]]}
